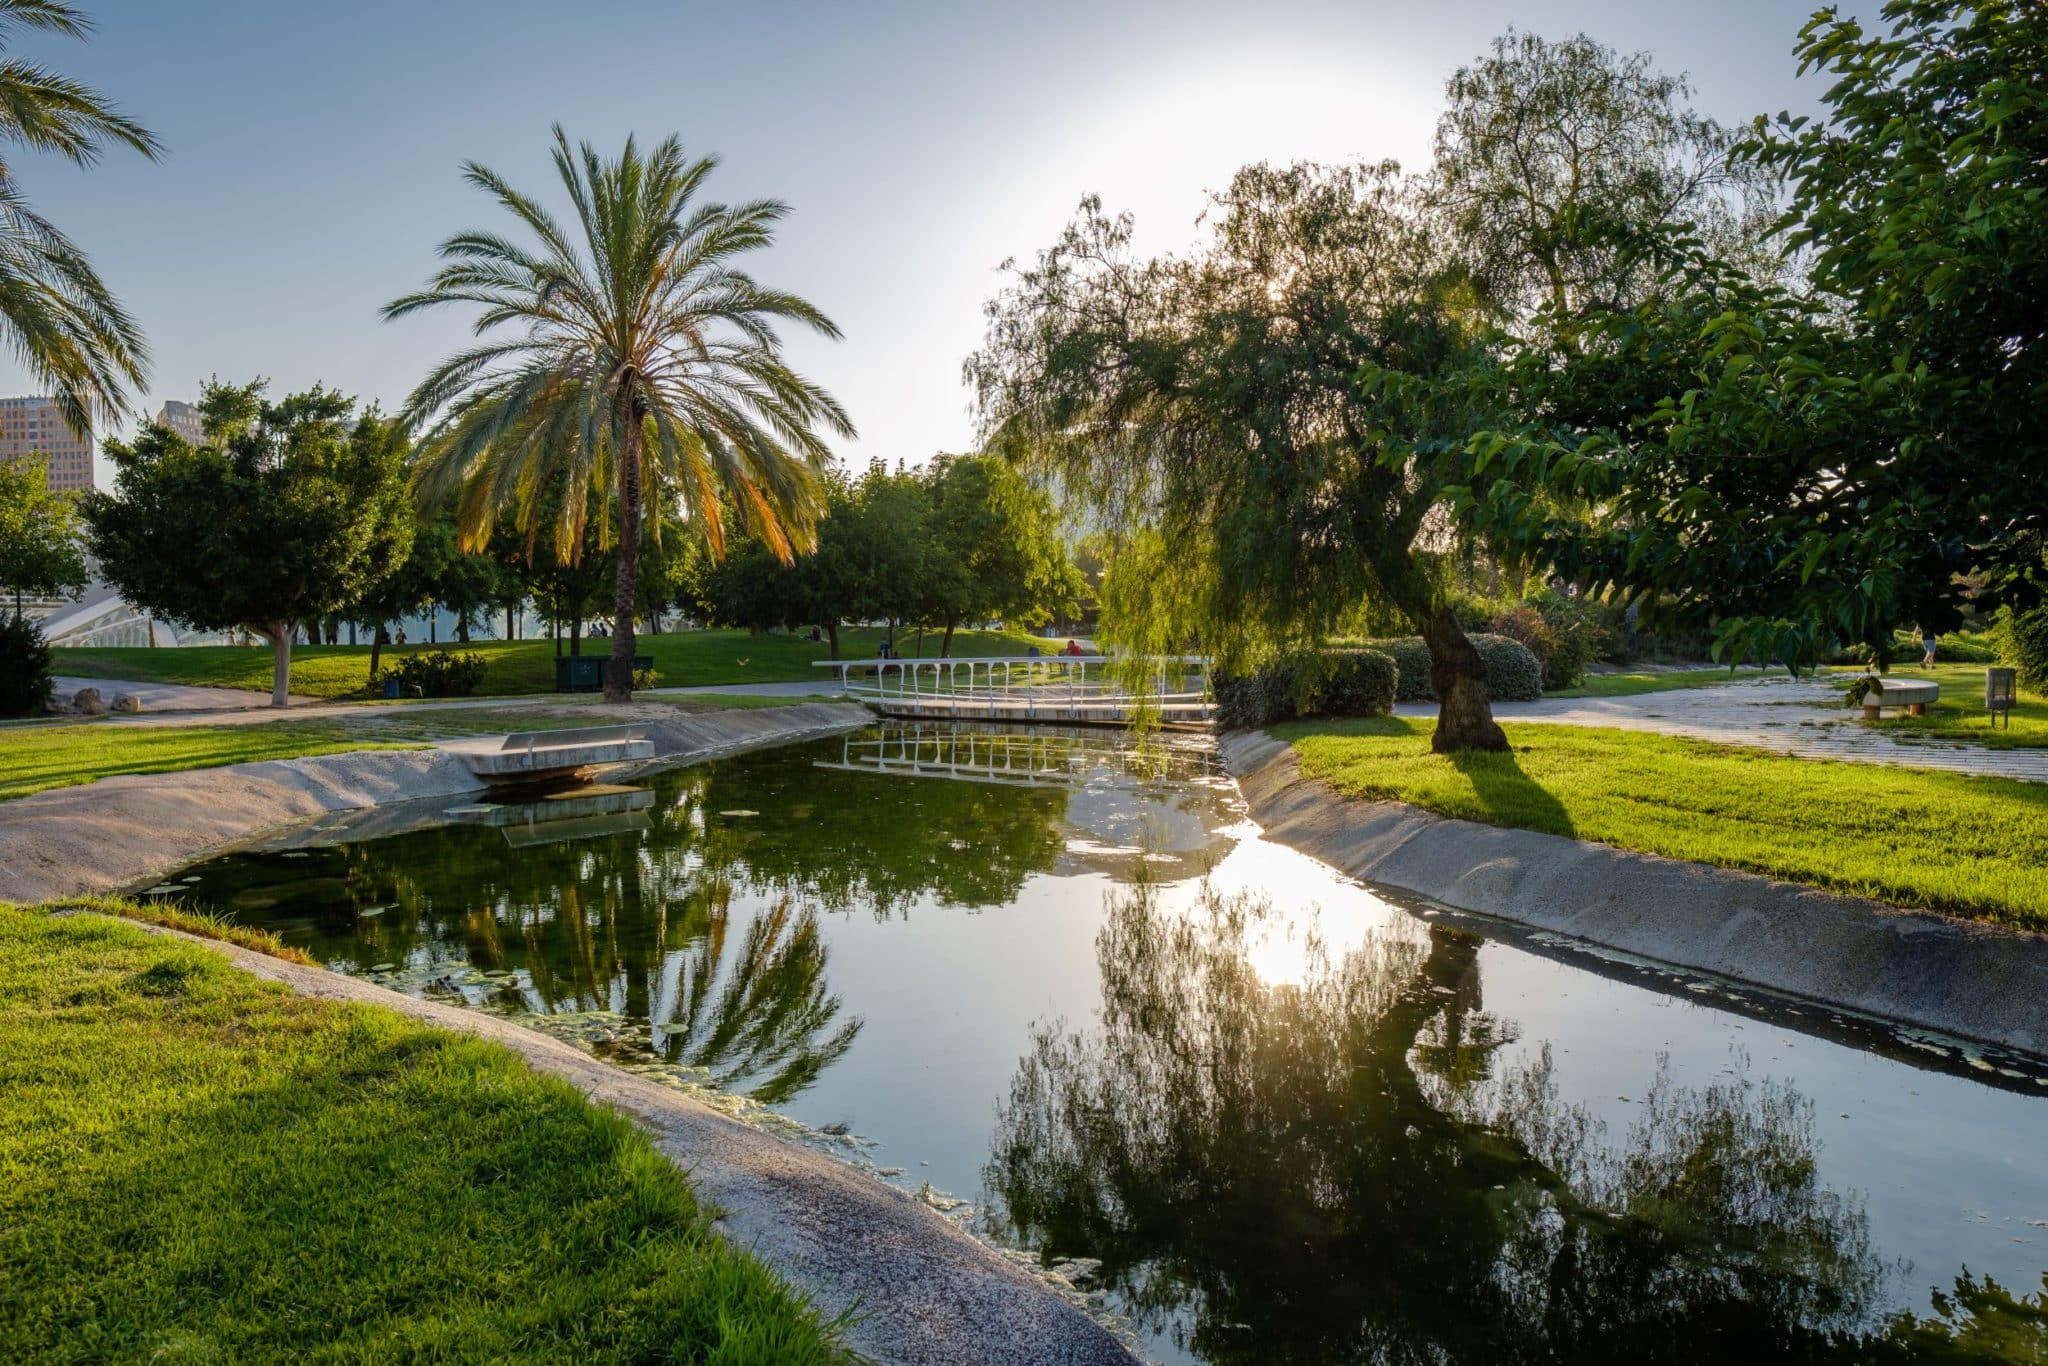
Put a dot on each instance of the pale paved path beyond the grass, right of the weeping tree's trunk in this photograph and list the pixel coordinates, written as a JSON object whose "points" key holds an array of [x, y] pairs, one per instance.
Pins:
{"points": [[1787, 716]]}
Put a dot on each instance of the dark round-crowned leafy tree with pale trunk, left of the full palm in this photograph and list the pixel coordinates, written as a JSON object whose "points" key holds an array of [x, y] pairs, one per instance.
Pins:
{"points": [[288, 513]]}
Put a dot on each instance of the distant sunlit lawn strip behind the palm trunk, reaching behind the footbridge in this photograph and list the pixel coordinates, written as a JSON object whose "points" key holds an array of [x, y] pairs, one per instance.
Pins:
{"points": [[683, 660]]}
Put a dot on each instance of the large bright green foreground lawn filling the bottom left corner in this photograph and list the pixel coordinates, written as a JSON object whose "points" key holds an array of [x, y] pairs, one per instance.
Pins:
{"points": [[204, 1166]]}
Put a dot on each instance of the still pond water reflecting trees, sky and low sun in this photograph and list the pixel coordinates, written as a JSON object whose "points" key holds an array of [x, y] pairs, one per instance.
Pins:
{"points": [[1254, 1111]]}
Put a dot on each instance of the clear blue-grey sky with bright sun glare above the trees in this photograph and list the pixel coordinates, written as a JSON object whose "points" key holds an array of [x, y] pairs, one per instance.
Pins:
{"points": [[314, 151]]}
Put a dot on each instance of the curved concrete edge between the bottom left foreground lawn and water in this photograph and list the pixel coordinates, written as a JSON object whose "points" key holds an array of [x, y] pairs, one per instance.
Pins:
{"points": [[923, 1291]]}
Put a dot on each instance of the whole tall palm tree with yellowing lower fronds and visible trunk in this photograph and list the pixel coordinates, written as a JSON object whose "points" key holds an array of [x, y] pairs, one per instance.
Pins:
{"points": [[642, 366]]}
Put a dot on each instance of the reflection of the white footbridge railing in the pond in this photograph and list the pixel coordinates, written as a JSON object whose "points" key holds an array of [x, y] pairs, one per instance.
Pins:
{"points": [[1021, 757]]}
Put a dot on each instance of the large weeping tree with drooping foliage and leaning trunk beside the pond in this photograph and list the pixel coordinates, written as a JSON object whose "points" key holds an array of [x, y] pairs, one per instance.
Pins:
{"points": [[1271, 425]]}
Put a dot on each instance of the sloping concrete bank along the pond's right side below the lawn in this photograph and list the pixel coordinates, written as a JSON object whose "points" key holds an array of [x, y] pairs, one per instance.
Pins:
{"points": [[1959, 978]]}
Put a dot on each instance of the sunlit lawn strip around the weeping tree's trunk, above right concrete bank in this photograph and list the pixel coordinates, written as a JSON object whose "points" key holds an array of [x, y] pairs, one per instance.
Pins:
{"points": [[1949, 843]]}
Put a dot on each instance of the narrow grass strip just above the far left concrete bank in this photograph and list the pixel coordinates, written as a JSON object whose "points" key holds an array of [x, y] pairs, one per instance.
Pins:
{"points": [[42, 757]]}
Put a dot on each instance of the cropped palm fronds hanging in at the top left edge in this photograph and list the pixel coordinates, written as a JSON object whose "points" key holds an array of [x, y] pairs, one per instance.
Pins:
{"points": [[56, 314]]}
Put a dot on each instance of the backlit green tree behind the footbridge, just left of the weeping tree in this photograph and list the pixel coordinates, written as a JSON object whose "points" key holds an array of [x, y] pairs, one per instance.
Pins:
{"points": [[996, 548]]}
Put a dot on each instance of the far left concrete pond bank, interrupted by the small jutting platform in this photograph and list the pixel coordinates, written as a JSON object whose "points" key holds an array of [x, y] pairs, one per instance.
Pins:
{"points": [[120, 833]]}
